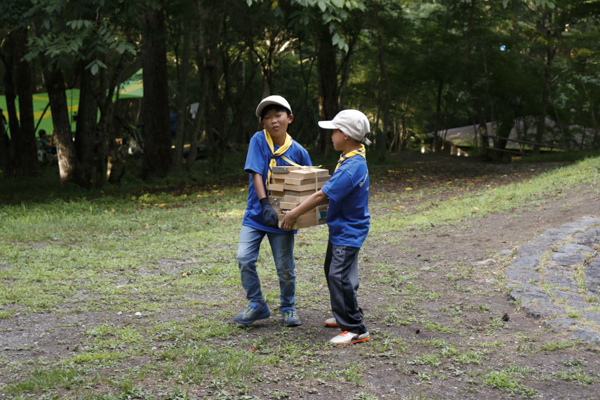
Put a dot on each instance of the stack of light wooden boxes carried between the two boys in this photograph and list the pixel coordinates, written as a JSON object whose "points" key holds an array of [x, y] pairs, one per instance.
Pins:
{"points": [[291, 186]]}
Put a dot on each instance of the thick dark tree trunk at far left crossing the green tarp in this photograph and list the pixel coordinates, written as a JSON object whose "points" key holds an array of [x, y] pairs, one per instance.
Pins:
{"points": [[23, 139]]}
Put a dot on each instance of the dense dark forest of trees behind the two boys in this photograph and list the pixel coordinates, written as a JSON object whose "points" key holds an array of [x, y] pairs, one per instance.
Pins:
{"points": [[412, 66]]}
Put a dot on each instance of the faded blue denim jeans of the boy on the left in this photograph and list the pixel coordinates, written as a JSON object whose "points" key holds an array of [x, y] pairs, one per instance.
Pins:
{"points": [[282, 246]]}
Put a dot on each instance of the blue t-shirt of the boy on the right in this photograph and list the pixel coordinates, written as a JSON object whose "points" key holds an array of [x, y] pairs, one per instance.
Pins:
{"points": [[348, 190]]}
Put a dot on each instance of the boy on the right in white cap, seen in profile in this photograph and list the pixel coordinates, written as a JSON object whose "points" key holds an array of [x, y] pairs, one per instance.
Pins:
{"points": [[348, 220]]}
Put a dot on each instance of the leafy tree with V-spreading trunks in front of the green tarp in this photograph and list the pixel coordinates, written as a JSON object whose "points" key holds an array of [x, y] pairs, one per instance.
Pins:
{"points": [[80, 35]]}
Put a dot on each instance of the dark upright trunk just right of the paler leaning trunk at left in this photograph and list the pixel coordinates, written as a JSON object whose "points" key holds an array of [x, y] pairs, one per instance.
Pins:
{"points": [[85, 134]]}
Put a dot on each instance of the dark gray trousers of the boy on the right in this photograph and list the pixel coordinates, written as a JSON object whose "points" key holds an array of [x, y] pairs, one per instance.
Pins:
{"points": [[341, 271]]}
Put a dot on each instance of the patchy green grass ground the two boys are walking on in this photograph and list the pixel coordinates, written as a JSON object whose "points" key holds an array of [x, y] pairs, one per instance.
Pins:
{"points": [[93, 260]]}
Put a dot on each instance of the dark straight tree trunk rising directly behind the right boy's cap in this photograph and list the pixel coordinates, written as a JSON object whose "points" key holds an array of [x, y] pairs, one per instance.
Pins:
{"points": [[327, 73]]}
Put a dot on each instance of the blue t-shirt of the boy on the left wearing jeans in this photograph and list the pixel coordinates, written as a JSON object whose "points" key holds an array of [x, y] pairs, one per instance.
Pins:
{"points": [[257, 161]]}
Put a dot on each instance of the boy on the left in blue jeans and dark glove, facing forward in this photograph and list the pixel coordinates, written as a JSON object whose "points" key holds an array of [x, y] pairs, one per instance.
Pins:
{"points": [[268, 148]]}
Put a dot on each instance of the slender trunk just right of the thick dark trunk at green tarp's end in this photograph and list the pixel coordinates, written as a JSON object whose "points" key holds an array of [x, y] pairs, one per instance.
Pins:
{"points": [[182, 113]]}
